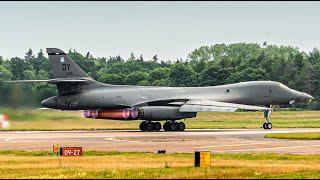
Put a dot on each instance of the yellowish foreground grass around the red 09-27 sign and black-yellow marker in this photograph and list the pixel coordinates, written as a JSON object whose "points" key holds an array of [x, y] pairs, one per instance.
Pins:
{"points": [[99, 164]]}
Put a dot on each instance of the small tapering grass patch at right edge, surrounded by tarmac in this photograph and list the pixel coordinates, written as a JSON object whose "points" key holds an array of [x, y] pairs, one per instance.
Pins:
{"points": [[300, 135]]}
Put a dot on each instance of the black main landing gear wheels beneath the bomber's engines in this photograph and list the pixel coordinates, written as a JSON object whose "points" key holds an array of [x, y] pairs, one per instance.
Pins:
{"points": [[167, 126]]}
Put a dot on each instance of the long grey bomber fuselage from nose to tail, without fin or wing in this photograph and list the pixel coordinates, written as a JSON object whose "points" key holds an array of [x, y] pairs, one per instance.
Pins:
{"points": [[113, 96]]}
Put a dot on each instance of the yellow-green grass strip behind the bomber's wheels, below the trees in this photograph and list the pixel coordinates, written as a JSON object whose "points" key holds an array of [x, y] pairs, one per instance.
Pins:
{"points": [[35, 119]]}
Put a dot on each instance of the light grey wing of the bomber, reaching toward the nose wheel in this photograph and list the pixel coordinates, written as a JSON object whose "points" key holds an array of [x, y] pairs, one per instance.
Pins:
{"points": [[215, 106]]}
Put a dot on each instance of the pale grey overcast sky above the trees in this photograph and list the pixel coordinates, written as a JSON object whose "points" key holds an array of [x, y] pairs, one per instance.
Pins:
{"points": [[169, 29]]}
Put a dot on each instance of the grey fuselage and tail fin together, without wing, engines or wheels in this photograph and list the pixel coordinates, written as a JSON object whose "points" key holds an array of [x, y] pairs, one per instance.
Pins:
{"points": [[94, 95]]}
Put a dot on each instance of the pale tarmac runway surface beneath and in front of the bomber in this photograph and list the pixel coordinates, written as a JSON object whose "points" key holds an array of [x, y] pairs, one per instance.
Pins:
{"points": [[215, 140]]}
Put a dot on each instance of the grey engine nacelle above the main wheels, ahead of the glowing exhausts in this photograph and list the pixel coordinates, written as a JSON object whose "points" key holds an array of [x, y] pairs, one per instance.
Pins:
{"points": [[164, 113]]}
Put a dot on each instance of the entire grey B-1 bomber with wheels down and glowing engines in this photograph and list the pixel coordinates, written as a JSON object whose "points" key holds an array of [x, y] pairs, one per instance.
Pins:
{"points": [[77, 91]]}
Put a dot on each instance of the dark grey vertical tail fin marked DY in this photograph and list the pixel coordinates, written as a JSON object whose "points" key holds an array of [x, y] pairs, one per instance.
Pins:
{"points": [[63, 66]]}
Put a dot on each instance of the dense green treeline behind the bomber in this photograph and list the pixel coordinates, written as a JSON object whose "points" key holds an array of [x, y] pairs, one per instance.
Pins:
{"points": [[206, 66]]}
